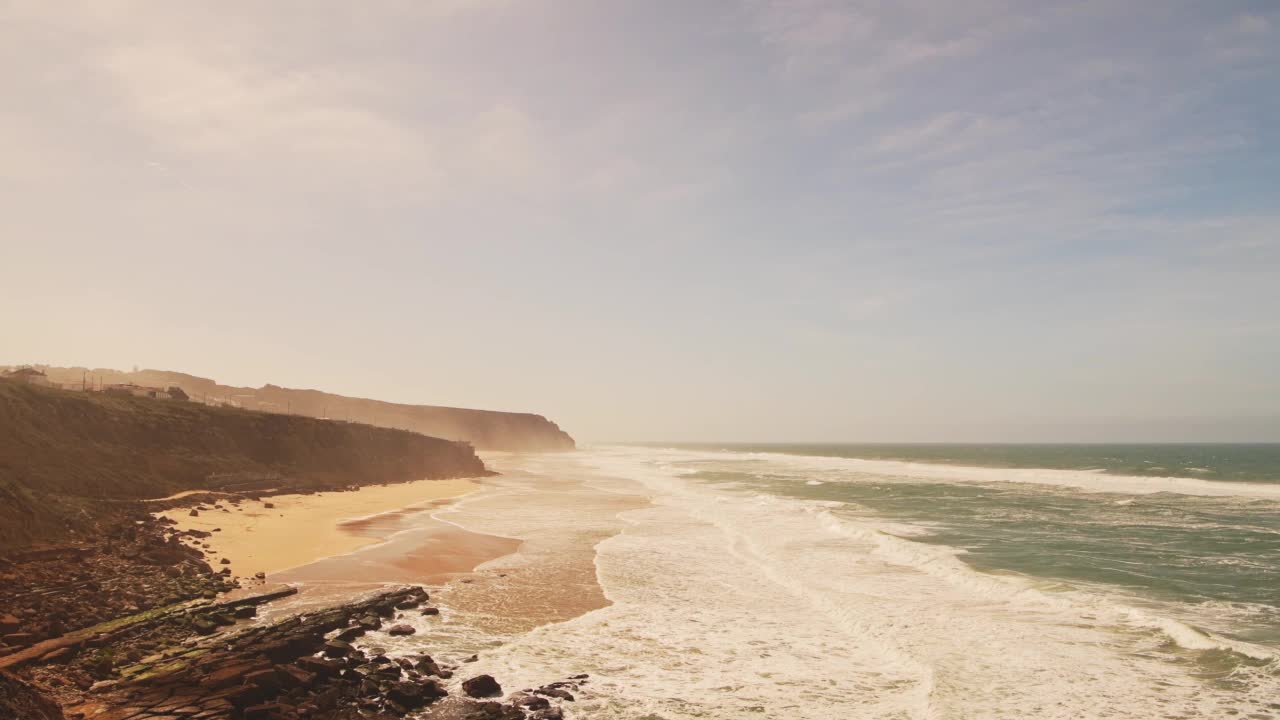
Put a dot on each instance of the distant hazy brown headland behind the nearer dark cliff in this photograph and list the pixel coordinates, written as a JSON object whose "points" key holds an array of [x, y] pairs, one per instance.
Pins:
{"points": [[486, 430]]}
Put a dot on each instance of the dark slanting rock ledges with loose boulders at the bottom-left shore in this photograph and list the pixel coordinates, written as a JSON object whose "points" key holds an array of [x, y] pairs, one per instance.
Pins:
{"points": [[292, 669]]}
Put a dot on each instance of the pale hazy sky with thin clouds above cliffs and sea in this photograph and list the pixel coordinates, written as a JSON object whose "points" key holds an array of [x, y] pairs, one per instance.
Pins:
{"points": [[664, 221]]}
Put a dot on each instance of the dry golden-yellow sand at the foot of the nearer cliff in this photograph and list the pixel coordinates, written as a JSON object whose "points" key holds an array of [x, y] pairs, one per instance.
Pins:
{"points": [[291, 531]]}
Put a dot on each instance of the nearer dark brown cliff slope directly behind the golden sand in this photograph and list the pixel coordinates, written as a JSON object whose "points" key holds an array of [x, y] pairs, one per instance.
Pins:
{"points": [[67, 457]]}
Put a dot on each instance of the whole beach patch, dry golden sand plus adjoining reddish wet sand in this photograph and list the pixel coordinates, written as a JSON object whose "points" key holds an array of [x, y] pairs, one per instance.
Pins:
{"points": [[303, 530]]}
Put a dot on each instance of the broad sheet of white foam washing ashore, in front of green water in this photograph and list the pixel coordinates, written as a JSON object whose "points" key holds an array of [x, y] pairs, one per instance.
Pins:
{"points": [[733, 605]]}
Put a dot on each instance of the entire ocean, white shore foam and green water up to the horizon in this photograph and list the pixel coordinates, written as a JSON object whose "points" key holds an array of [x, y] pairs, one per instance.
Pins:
{"points": [[883, 582]]}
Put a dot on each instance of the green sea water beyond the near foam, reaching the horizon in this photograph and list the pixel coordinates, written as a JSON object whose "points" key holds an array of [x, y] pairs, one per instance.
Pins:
{"points": [[1082, 525]]}
